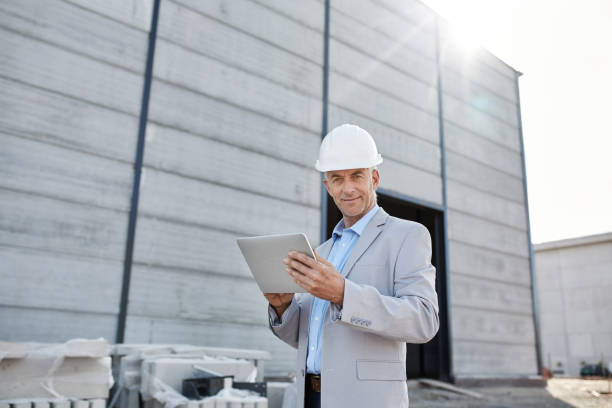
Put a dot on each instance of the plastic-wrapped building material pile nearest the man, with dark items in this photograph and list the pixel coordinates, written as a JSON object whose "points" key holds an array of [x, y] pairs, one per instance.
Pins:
{"points": [[155, 374]]}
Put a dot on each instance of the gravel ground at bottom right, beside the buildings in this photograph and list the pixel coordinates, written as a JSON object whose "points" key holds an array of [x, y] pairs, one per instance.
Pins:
{"points": [[559, 393]]}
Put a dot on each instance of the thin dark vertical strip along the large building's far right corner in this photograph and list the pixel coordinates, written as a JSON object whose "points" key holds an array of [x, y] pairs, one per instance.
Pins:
{"points": [[534, 294]]}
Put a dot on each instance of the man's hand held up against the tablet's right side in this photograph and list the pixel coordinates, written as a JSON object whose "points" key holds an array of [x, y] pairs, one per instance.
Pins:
{"points": [[320, 278]]}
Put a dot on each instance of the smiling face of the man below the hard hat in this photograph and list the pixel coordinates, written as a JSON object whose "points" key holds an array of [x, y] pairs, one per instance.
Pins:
{"points": [[352, 190]]}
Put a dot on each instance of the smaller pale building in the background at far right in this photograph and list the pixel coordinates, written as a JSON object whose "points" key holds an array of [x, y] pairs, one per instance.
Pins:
{"points": [[574, 281]]}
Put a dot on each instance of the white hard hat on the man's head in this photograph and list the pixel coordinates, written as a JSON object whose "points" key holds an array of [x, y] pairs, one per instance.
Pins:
{"points": [[347, 147]]}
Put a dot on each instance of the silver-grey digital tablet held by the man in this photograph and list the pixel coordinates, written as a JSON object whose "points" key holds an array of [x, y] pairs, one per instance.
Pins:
{"points": [[265, 254]]}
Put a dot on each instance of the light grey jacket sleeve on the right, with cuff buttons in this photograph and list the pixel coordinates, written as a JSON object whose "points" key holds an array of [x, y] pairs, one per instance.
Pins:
{"points": [[411, 314]]}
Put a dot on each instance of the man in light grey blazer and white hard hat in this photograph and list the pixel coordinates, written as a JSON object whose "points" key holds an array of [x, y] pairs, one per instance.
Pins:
{"points": [[370, 291]]}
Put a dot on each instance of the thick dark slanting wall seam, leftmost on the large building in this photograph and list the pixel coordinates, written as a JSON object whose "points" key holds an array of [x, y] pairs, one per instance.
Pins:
{"points": [[131, 232]]}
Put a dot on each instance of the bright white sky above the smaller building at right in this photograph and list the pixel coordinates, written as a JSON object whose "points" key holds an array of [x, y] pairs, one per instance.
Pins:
{"points": [[564, 50]]}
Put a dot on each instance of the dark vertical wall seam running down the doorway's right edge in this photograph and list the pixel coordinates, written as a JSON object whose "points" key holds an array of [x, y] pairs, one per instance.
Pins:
{"points": [[444, 204]]}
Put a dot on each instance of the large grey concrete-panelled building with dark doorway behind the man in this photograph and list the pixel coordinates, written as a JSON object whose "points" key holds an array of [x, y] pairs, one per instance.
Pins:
{"points": [[139, 138]]}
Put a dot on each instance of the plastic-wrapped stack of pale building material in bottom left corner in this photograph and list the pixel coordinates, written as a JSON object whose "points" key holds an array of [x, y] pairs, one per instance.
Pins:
{"points": [[75, 374]]}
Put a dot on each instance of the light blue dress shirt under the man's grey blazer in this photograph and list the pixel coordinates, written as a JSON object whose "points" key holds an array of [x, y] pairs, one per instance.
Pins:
{"points": [[344, 239]]}
